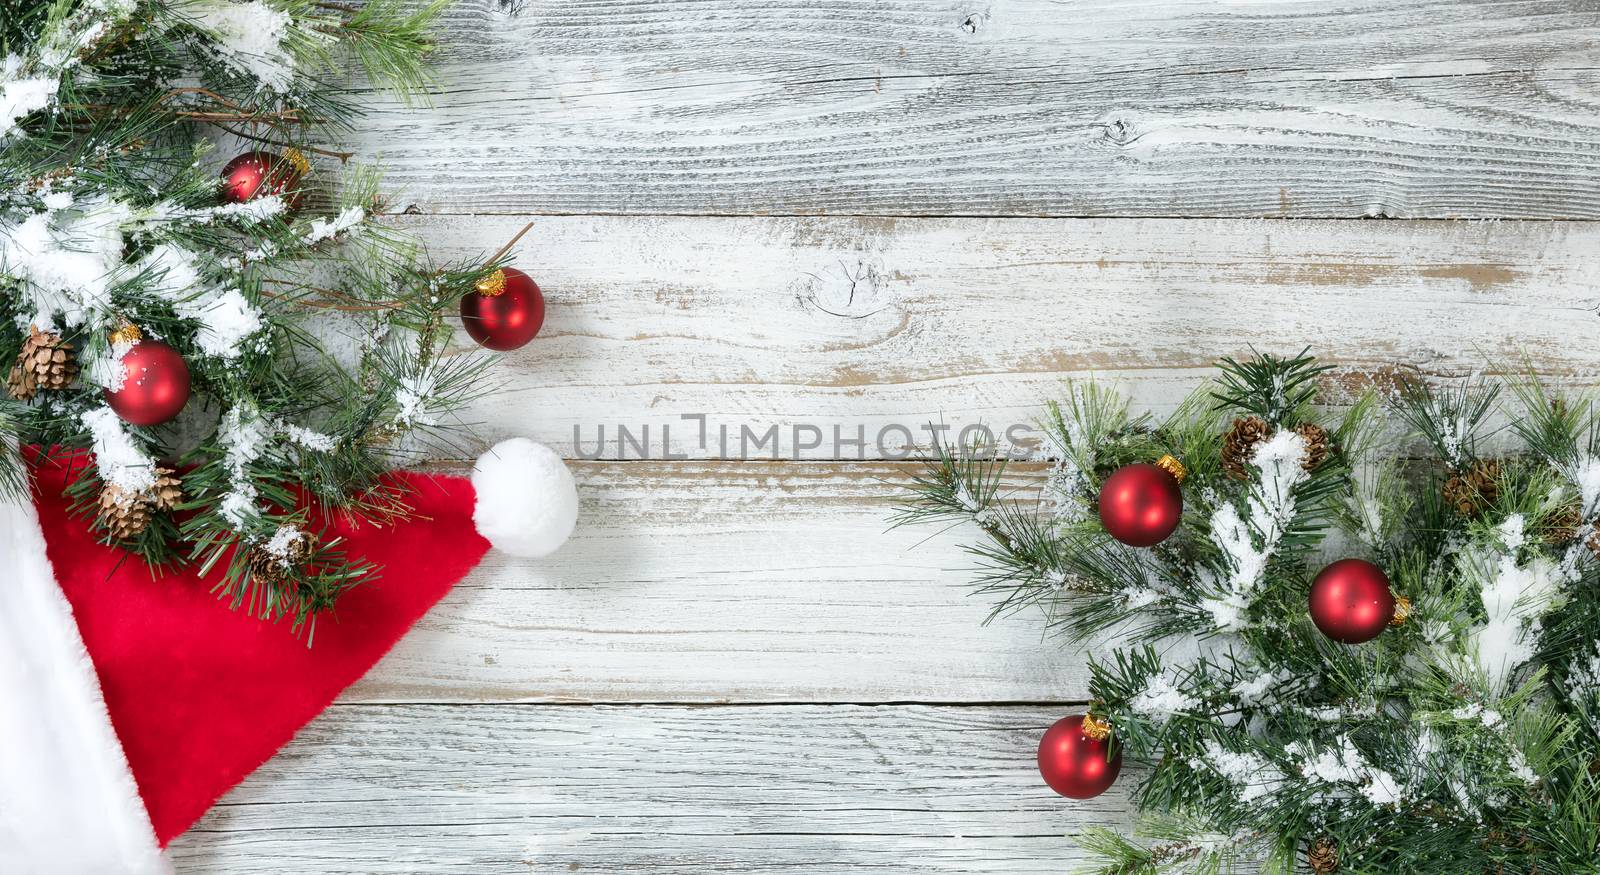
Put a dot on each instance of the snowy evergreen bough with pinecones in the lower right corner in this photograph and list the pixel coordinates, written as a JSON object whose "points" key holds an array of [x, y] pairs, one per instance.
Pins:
{"points": [[1463, 740]]}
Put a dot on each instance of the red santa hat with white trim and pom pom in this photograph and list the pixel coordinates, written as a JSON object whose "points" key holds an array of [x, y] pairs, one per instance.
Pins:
{"points": [[130, 705]]}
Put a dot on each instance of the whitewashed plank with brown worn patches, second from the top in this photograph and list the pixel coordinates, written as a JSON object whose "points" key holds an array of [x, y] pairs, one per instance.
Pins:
{"points": [[873, 324]]}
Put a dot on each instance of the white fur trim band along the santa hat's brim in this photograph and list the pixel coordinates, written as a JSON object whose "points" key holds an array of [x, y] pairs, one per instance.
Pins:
{"points": [[68, 801]]}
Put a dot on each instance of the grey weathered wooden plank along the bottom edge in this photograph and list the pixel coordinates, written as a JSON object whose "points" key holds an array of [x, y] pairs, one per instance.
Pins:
{"points": [[502, 789]]}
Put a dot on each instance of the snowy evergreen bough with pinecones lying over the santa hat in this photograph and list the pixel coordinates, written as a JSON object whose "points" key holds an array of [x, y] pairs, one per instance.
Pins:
{"points": [[314, 335]]}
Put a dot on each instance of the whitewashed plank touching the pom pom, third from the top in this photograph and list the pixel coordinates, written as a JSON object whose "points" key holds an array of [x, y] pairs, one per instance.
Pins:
{"points": [[729, 583]]}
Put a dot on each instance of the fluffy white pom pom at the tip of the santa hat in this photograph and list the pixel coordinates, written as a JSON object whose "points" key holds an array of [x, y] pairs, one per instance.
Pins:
{"points": [[527, 500]]}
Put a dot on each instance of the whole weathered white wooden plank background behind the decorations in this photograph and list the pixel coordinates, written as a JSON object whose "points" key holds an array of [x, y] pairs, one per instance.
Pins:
{"points": [[873, 212]]}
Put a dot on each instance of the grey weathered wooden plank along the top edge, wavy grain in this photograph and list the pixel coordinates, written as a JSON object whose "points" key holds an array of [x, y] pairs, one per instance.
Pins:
{"points": [[1042, 108]]}
